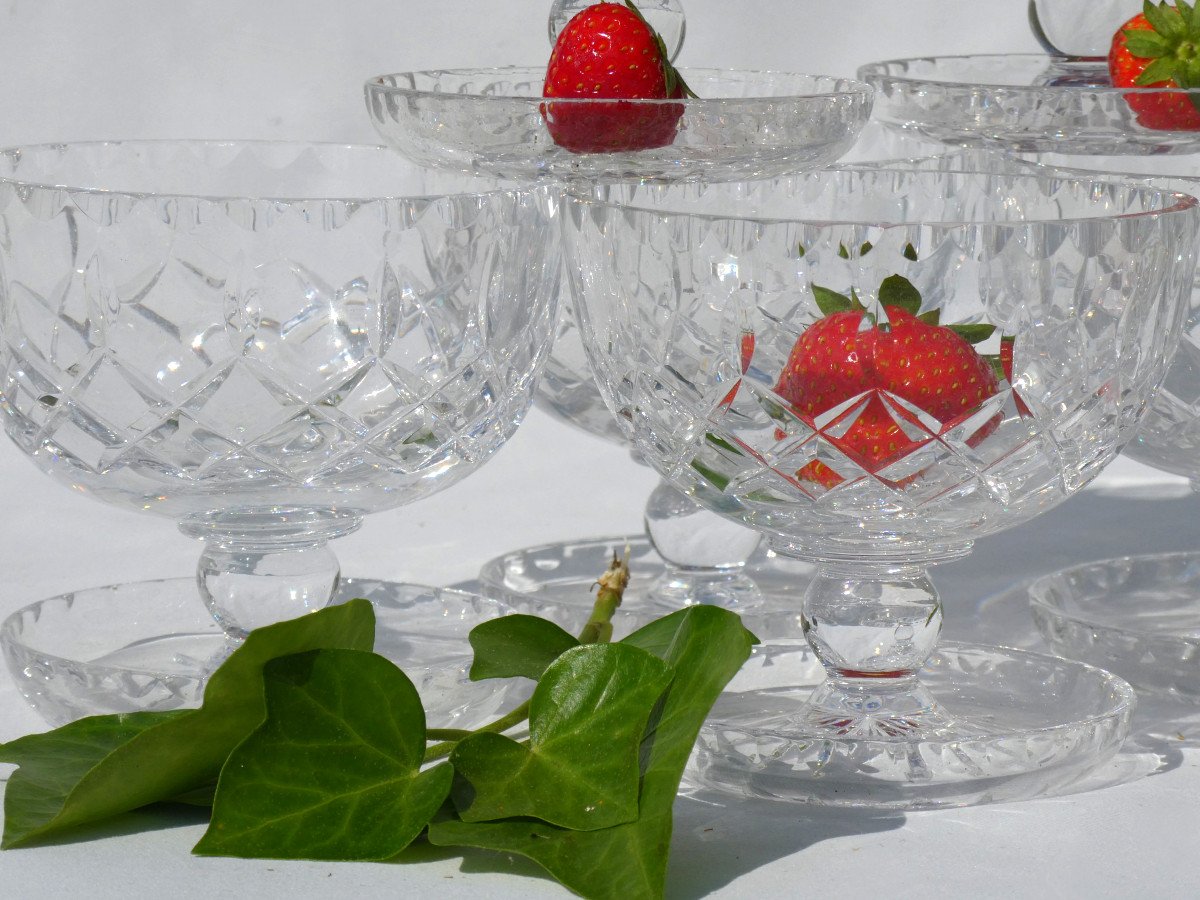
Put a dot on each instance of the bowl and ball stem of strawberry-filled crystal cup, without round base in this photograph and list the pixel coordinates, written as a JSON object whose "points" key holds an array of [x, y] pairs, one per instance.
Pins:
{"points": [[692, 301]]}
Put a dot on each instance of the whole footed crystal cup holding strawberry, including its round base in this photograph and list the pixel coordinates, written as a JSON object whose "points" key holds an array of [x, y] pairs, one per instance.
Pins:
{"points": [[935, 357]]}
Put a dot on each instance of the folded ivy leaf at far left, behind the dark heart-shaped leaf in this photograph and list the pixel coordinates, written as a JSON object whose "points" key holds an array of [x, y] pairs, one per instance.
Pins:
{"points": [[101, 766]]}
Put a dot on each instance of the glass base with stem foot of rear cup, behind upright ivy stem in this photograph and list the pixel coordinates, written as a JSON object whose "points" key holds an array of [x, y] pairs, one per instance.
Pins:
{"points": [[767, 592]]}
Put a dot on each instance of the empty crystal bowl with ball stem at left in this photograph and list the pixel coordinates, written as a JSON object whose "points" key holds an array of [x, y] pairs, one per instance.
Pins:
{"points": [[266, 341]]}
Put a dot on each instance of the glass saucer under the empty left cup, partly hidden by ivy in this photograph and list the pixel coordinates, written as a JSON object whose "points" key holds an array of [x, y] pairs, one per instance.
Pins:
{"points": [[149, 646]]}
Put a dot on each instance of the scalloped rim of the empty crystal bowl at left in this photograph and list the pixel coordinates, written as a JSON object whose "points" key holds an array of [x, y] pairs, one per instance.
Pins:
{"points": [[375, 163]]}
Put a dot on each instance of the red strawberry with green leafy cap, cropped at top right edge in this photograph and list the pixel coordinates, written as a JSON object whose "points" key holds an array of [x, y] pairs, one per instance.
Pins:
{"points": [[1160, 47]]}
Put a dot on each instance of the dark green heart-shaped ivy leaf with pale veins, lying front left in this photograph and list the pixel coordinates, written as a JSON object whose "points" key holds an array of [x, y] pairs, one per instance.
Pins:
{"points": [[334, 773]]}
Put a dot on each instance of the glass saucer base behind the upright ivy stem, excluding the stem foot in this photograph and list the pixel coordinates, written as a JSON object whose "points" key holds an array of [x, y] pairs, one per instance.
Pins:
{"points": [[563, 575]]}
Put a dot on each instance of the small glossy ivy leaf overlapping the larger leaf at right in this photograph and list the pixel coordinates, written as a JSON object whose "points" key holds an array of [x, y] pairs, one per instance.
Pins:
{"points": [[586, 723]]}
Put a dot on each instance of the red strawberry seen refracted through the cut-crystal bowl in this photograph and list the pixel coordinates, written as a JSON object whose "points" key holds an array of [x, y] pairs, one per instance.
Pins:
{"points": [[847, 355]]}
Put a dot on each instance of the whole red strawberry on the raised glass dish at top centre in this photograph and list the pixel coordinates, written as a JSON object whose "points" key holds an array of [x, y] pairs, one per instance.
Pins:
{"points": [[609, 51]]}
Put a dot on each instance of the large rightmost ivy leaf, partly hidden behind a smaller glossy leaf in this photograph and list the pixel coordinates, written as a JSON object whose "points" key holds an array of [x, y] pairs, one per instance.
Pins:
{"points": [[705, 646]]}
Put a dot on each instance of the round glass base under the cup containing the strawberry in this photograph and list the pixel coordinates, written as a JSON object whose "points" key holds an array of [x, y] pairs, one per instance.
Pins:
{"points": [[982, 725]]}
